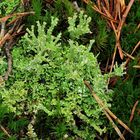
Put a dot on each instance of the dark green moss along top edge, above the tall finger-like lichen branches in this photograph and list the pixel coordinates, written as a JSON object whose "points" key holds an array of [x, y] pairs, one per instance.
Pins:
{"points": [[44, 10]]}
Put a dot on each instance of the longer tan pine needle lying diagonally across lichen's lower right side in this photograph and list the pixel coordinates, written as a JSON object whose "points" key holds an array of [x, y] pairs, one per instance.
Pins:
{"points": [[106, 109]]}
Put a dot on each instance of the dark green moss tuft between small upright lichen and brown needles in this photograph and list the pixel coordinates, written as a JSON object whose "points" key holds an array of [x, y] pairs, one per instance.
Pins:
{"points": [[104, 37]]}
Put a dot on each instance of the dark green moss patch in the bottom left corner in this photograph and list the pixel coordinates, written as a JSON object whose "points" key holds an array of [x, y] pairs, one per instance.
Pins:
{"points": [[15, 125]]}
